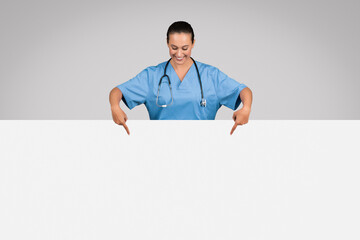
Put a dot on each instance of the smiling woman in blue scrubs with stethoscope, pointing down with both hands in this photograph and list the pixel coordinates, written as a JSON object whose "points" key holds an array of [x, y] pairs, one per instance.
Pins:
{"points": [[188, 90]]}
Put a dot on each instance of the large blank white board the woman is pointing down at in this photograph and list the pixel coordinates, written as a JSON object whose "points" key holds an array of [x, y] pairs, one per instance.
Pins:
{"points": [[179, 180]]}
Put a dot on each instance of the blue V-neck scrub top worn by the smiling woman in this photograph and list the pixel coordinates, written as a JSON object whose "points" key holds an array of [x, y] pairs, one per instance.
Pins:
{"points": [[218, 88]]}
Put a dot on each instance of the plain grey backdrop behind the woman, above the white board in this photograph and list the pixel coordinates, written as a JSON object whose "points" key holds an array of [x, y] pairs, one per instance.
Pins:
{"points": [[60, 59]]}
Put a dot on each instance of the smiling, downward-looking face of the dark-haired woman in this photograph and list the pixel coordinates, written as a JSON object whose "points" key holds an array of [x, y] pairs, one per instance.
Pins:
{"points": [[180, 47]]}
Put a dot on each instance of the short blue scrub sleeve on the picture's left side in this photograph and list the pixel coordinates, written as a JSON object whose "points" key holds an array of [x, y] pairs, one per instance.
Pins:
{"points": [[135, 90]]}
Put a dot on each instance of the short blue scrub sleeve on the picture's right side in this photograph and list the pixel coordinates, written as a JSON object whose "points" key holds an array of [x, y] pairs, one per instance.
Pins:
{"points": [[227, 89]]}
